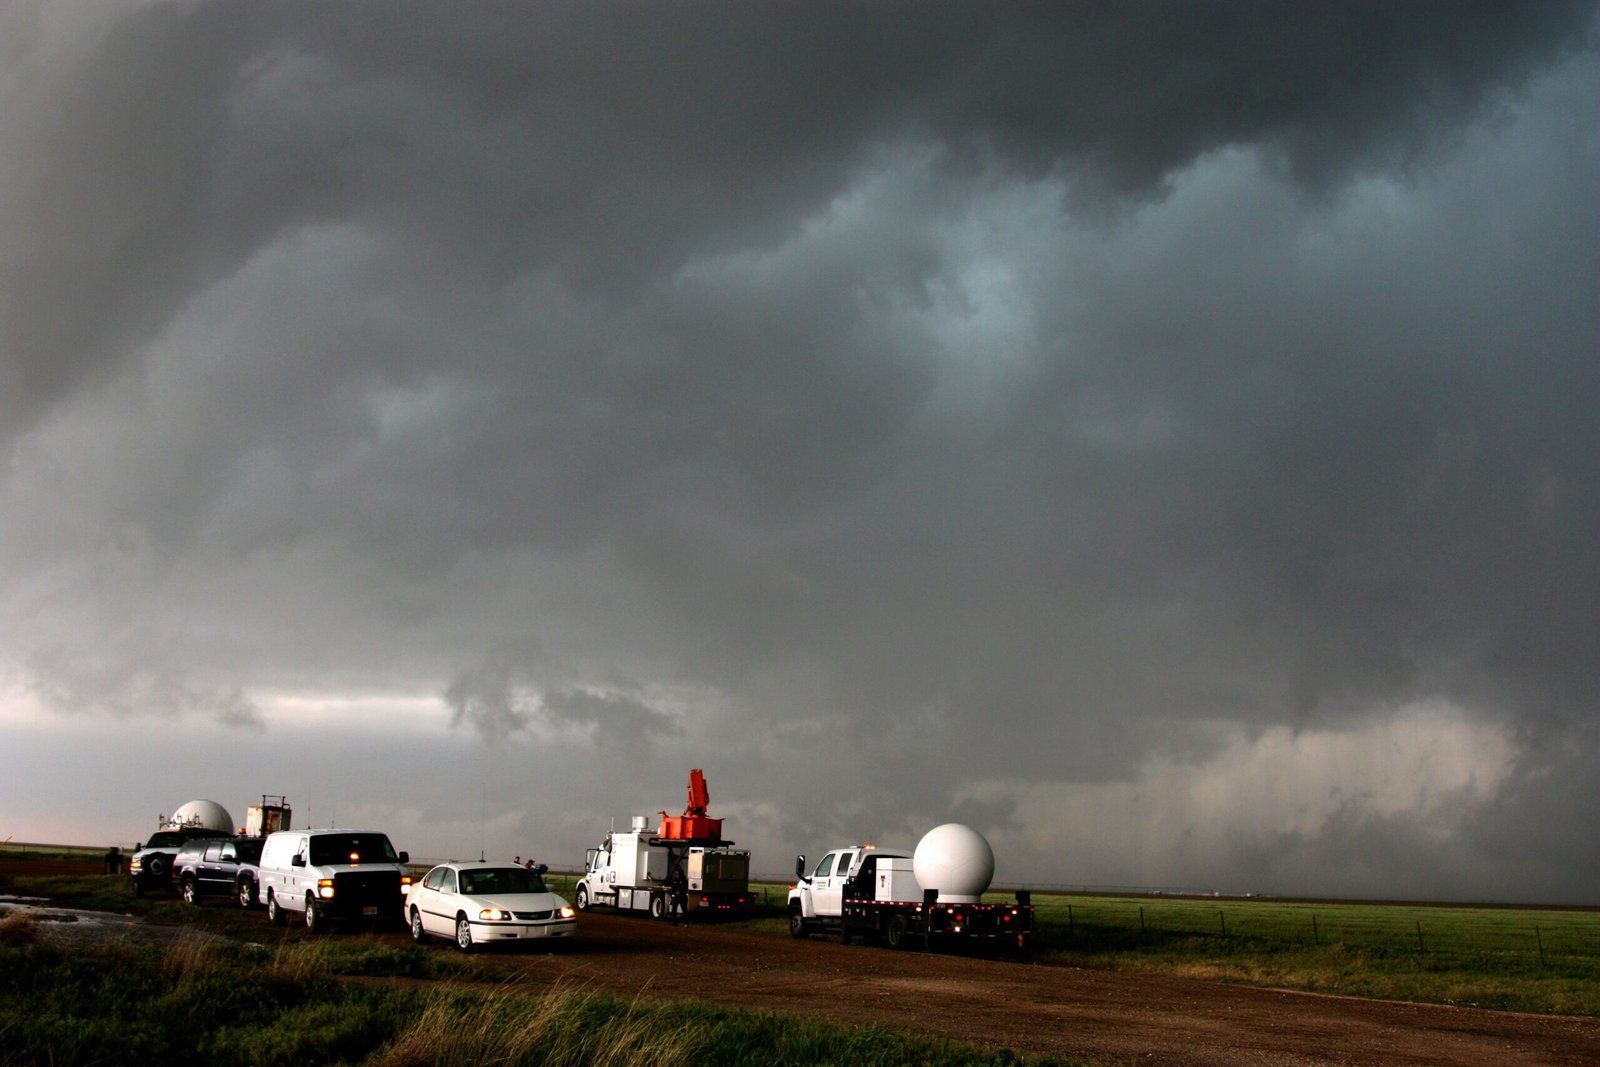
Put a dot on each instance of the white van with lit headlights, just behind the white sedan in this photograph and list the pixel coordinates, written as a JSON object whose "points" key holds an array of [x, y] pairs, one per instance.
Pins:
{"points": [[332, 876]]}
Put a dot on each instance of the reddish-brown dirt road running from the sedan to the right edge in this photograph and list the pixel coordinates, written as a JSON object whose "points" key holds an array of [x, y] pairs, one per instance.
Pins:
{"points": [[1038, 1009]]}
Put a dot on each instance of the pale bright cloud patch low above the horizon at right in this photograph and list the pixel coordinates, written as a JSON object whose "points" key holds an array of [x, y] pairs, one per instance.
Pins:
{"points": [[1276, 810]]}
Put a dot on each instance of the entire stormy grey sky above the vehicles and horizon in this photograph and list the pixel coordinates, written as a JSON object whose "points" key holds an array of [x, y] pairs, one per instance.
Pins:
{"points": [[1161, 436]]}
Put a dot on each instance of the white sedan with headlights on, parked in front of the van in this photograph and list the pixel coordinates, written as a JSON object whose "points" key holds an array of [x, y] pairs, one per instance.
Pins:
{"points": [[479, 905]]}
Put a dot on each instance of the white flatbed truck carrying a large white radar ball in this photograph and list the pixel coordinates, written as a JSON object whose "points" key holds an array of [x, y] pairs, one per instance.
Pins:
{"points": [[910, 898]]}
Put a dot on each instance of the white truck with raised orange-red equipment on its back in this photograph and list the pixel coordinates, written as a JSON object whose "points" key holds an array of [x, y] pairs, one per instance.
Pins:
{"points": [[639, 869]]}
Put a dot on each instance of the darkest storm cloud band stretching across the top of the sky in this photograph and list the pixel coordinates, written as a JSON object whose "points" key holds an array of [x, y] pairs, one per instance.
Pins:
{"points": [[610, 142]]}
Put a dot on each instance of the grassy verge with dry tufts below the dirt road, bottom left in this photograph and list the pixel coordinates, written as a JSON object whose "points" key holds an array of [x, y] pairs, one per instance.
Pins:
{"points": [[207, 1002]]}
